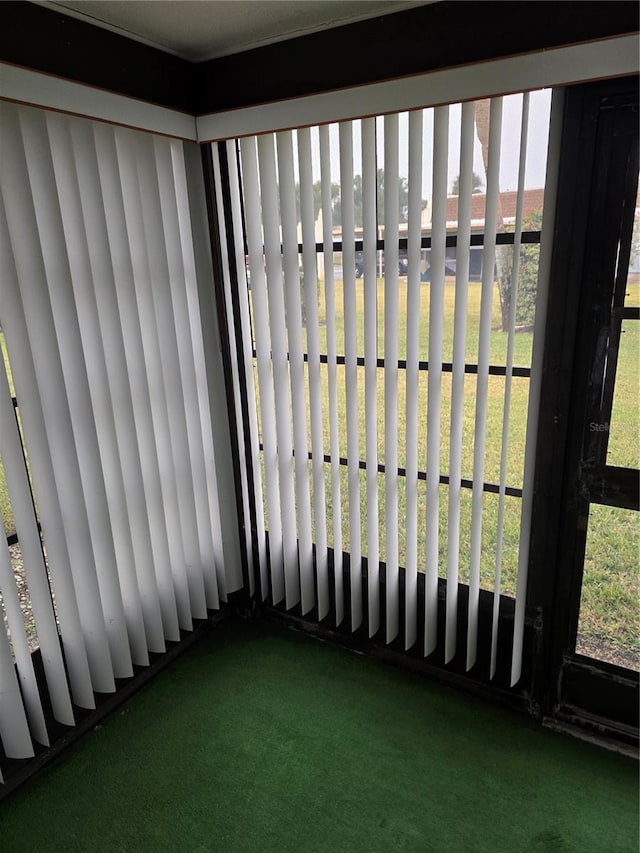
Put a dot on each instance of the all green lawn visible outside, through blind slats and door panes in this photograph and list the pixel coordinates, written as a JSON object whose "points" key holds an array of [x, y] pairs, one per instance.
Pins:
{"points": [[604, 614]]}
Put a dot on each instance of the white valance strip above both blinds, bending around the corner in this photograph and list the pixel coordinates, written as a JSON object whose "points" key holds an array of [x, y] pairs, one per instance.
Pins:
{"points": [[615, 57]]}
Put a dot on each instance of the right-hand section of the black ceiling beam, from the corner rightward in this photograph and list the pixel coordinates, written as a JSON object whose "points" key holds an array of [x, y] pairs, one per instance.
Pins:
{"points": [[426, 38]]}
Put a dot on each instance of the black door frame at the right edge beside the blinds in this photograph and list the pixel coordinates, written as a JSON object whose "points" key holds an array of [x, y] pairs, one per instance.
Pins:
{"points": [[567, 686]]}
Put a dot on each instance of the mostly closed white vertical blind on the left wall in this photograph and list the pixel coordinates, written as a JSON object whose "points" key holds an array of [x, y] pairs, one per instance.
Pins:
{"points": [[115, 496]]}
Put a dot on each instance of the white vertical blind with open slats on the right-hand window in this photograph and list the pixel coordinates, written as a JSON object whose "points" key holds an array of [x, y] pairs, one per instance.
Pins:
{"points": [[383, 387]]}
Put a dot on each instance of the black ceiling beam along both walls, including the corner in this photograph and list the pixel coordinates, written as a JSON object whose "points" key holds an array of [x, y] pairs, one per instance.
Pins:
{"points": [[436, 36]]}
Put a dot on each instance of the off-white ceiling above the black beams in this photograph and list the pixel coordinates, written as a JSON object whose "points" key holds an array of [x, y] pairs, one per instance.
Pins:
{"points": [[204, 29]]}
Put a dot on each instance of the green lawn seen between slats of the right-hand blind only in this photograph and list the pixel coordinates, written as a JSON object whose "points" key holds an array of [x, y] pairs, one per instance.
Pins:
{"points": [[498, 345]]}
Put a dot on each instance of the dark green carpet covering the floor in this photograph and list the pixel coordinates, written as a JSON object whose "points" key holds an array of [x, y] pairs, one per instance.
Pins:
{"points": [[262, 739]]}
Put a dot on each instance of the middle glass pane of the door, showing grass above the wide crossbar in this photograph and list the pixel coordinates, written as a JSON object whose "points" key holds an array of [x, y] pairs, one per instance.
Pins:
{"points": [[624, 435]]}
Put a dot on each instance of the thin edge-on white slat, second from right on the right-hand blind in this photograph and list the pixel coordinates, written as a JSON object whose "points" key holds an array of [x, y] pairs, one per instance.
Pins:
{"points": [[515, 272]]}
